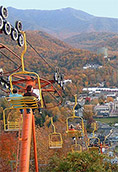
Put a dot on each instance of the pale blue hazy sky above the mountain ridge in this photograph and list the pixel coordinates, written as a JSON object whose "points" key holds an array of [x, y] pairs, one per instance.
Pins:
{"points": [[102, 8]]}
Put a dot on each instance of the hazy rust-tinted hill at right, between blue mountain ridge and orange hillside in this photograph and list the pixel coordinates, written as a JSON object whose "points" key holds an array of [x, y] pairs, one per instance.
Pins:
{"points": [[93, 40]]}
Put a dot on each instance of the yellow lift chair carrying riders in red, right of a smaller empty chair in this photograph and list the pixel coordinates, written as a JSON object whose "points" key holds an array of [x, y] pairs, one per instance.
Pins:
{"points": [[75, 124]]}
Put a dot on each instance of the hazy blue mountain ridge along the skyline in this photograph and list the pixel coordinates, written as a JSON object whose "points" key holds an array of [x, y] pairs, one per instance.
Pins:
{"points": [[62, 23]]}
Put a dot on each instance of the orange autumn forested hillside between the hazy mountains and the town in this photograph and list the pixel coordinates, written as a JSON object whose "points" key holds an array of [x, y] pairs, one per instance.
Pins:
{"points": [[70, 60]]}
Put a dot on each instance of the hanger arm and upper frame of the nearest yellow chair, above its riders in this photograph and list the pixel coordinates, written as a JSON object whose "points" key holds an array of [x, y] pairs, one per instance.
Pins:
{"points": [[24, 78]]}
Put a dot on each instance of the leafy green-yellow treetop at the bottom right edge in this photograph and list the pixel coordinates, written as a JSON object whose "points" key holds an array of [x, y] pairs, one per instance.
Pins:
{"points": [[81, 162]]}
